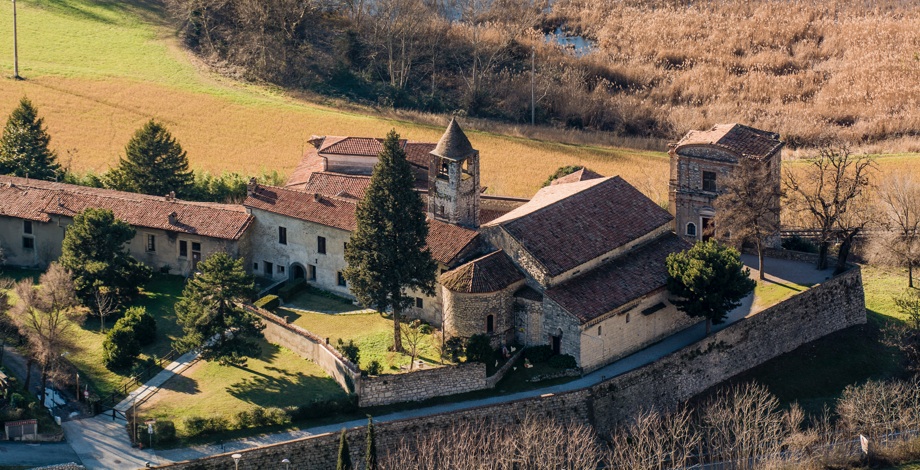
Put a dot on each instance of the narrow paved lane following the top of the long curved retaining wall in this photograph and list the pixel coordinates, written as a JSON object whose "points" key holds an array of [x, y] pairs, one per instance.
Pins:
{"points": [[100, 443]]}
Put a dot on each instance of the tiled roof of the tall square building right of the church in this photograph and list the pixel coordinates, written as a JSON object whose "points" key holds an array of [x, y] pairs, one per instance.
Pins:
{"points": [[742, 140]]}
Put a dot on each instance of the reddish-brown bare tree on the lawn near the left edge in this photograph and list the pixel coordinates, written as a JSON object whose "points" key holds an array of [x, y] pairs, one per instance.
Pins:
{"points": [[45, 314]]}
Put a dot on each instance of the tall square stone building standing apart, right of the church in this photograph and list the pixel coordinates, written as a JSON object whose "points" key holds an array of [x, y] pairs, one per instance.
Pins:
{"points": [[701, 160]]}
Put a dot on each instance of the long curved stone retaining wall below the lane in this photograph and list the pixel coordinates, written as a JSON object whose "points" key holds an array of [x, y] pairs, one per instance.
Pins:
{"points": [[834, 305]]}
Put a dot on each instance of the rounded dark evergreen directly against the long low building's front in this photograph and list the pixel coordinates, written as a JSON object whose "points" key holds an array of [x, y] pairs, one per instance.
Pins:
{"points": [[94, 251]]}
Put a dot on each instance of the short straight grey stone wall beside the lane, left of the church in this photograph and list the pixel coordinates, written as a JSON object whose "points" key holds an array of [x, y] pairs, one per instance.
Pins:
{"points": [[422, 384]]}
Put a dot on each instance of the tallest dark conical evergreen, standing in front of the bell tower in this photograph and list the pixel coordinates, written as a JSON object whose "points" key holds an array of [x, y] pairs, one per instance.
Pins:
{"points": [[387, 253]]}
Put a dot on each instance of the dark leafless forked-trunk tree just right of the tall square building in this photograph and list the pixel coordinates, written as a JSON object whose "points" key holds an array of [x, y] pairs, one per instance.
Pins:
{"points": [[830, 189]]}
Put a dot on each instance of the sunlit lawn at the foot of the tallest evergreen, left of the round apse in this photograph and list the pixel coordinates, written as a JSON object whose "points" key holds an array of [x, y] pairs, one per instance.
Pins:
{"points": [[371, 332]]}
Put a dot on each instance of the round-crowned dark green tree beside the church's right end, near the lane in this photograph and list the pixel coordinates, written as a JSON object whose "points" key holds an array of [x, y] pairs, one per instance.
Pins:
{"points": [[708, 280]]}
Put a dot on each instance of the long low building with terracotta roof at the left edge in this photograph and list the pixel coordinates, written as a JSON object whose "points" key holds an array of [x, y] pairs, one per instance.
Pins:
{"points": [[172, 235]]}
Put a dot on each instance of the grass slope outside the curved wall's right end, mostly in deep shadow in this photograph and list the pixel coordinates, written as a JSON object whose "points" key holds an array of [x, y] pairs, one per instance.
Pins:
{"points": [[815, 374]]}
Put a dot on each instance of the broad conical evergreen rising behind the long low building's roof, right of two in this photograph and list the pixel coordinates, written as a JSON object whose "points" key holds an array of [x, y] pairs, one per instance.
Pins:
{"points": [[154, 163]]}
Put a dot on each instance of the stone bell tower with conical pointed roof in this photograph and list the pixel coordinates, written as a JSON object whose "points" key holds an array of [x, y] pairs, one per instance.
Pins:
{"points": [[453, 179]]}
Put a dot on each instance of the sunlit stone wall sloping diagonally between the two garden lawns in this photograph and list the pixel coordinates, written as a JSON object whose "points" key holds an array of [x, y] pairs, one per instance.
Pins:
{"points": [[309, 346]]}
